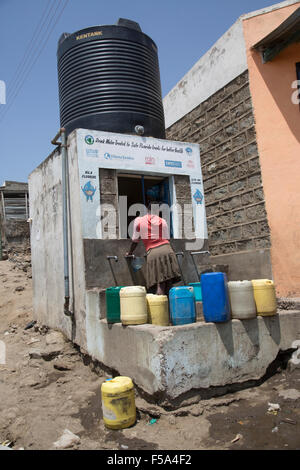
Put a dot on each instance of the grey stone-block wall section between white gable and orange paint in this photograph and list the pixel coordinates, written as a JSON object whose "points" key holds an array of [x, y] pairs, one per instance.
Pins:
{"points": [[224, 127]]}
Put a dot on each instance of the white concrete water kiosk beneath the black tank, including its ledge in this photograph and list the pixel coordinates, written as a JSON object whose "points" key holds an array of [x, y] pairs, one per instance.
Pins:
{"points": [[165, 362]]}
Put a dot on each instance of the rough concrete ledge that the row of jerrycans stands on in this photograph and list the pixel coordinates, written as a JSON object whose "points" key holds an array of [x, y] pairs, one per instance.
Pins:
{"points": [[168, 362]]}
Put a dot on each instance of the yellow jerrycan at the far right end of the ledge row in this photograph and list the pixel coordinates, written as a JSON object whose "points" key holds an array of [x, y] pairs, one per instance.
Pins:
{"points": [[265, 297]]}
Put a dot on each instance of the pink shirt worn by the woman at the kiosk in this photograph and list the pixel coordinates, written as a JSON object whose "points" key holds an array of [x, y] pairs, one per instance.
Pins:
{"points": [[152, 230]]}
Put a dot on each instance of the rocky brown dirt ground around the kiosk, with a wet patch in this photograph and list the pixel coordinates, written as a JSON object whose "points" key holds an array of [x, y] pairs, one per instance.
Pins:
{"points": [[47, 387]]}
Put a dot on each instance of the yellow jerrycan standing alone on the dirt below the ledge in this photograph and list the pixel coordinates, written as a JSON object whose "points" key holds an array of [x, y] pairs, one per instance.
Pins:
{"points": [[118, 403]]}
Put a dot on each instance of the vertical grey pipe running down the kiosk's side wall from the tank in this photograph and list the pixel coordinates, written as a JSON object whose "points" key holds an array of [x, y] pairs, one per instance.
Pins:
{"points": [[63, 146]]}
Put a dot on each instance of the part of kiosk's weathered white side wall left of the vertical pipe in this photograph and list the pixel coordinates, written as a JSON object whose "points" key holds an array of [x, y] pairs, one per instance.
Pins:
{"points": [[45, 195]]}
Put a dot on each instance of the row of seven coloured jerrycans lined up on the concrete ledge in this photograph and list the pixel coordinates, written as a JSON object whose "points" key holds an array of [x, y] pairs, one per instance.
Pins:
{"points": [[222, 300]]}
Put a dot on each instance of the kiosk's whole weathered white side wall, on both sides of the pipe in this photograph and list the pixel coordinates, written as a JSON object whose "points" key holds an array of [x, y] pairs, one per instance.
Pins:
{"points": [[46, 203]]}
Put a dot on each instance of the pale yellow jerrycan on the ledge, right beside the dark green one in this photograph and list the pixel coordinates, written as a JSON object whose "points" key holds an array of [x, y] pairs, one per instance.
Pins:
{"points": [[133, 305]]}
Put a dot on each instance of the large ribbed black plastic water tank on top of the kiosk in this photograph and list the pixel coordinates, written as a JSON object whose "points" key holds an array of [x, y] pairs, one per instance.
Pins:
{"points": [[109, 80]]}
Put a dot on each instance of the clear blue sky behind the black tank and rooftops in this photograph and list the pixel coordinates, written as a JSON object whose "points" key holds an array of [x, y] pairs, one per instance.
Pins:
{"points": [[182, 30]]}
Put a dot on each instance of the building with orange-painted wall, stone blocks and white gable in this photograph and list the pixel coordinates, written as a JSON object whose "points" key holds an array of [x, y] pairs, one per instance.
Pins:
{"points": [[240, 103]]}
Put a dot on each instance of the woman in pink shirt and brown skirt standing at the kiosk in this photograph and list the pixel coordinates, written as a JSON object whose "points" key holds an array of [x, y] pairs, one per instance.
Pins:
{"points": [[162, 266]]}
